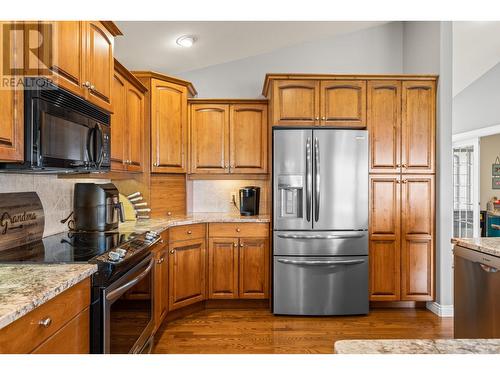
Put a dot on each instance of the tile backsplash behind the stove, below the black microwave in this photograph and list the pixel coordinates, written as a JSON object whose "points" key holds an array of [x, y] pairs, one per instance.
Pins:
{"points": [[56, 195]]}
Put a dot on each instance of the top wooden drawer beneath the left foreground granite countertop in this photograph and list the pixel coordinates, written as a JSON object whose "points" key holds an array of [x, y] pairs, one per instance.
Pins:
{"points": [[26, 333]]}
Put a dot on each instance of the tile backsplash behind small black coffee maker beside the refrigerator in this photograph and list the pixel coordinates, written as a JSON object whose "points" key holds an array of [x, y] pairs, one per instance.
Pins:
{"points": [[215, 195]]}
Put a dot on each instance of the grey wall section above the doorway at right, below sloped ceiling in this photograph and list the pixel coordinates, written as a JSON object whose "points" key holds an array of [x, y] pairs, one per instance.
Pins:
{"points": [[478, 105]]}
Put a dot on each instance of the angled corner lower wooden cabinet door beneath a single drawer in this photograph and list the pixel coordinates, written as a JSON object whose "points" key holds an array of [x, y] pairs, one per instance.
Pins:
{"points": [[186, 273]]}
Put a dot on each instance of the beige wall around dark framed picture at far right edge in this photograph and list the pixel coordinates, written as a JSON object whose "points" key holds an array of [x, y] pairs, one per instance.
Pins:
{"points": [[489, 150]]}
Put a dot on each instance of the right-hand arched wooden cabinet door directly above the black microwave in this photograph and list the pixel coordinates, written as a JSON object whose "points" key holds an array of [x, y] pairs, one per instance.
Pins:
{"points": [[100, 64]]}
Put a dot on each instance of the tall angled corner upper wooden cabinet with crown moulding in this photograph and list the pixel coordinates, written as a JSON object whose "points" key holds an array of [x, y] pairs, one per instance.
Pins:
{"points": [[167, 119]]}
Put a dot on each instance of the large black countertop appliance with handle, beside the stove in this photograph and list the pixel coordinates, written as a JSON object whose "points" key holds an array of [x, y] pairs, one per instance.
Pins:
{"points": [[96, 207]]}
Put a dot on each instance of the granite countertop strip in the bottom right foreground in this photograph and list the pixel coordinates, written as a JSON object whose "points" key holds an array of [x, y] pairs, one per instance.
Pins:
{"points": [[441, 346]]}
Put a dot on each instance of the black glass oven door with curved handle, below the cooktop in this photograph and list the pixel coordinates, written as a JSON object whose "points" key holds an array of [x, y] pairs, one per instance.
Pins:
{"points": [[128, 310]]}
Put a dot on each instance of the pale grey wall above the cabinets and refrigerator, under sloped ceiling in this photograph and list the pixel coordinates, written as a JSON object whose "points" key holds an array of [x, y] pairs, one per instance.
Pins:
{"points": [[374, 50]]}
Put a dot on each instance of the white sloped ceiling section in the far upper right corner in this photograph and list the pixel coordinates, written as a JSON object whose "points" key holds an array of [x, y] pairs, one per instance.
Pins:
{"points": [[476, 49]]}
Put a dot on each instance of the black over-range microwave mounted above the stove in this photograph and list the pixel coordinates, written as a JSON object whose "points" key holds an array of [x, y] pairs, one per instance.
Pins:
{"points": [[62, 132]]}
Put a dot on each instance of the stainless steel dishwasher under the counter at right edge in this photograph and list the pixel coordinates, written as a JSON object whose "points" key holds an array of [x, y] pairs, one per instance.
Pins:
{"points": [[476, 294]]}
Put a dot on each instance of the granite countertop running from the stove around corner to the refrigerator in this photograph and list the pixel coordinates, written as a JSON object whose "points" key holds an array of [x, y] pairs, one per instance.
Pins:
{"points": [[160, 224]]}
